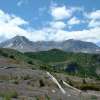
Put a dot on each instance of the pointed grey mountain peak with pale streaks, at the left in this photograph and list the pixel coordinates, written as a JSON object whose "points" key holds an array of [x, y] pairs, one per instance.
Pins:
{"points": [[19, 43]]}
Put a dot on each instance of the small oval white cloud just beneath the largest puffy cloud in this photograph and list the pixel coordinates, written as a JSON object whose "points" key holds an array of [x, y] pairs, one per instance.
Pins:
{"points": [[58, 24]]}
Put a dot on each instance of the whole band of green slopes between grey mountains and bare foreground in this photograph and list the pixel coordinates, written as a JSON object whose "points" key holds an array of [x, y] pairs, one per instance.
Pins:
{"points": [[58, 61]]}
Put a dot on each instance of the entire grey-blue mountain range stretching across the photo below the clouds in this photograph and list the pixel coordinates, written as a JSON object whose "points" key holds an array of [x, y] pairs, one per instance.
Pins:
{"points": [[22, 44]]}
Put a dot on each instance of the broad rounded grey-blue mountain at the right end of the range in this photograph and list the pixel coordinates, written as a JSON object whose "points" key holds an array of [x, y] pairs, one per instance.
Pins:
{"points": [[80, 46]]}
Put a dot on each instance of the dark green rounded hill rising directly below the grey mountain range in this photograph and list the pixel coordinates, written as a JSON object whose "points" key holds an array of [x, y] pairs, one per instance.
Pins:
{"points": [[56, 55]]}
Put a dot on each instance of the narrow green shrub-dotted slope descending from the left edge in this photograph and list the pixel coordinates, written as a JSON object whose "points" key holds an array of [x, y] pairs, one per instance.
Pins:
{"points": [[17, 56]]}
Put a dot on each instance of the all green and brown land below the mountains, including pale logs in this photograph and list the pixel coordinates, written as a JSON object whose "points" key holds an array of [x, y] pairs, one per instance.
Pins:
{"points": [[50, 75]]}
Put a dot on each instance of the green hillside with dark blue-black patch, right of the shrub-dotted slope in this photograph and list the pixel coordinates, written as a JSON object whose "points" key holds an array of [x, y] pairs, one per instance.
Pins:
{"points": [[73, 63]]}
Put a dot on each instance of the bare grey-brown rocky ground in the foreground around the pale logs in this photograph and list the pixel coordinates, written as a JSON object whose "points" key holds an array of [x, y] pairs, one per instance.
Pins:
{"points": [[37, 85]]}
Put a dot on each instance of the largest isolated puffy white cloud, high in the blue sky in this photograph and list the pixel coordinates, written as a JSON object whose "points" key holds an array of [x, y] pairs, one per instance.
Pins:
{"points": [[60, 13]]}
